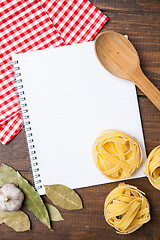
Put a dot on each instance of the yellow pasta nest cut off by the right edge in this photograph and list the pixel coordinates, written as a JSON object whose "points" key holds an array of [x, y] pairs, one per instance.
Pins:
{"points": [[153, 167]]}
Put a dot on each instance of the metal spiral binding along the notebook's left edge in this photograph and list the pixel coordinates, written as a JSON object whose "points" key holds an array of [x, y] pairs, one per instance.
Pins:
{"points": [[27, 124]]}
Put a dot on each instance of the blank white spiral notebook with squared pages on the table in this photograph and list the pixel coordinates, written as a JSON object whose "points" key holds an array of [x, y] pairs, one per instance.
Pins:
{"points": [[67, 99]]}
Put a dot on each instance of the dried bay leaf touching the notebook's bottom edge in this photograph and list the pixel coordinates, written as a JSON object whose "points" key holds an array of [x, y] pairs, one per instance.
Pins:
{"points": [[63, 196]]}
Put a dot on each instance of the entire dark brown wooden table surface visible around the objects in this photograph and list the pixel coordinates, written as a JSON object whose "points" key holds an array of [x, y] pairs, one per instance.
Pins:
{"points": [[140, 19]]}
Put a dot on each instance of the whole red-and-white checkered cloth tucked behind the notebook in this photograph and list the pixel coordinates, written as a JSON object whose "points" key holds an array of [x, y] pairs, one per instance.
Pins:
{"points": [[32, 25]]}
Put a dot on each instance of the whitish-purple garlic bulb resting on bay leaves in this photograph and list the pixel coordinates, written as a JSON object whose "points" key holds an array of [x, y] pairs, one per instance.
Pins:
{"points": [[11, 198]]}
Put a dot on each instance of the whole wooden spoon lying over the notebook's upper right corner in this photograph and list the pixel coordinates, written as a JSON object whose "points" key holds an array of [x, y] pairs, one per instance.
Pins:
{"points": [[119, 57]]}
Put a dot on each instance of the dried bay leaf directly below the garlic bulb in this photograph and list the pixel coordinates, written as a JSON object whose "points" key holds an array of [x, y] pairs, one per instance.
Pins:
{"points": [[17, 220]]}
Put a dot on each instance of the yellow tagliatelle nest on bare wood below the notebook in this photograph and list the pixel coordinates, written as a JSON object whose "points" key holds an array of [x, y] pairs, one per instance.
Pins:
{"points": [[126, 209]]}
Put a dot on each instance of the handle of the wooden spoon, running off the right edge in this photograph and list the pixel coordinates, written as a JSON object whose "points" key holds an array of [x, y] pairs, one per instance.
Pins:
{"points": [[145, 85]]}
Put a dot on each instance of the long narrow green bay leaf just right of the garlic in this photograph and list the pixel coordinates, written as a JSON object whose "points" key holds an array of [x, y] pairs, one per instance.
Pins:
{"points": [[33, 201]]}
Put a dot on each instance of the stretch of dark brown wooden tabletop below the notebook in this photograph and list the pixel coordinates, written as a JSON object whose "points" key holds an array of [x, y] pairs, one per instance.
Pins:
{"points": [[89, 223]]}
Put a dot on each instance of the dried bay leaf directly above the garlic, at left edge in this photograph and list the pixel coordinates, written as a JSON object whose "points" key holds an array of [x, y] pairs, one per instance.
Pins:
{"points": [[7, 175]]}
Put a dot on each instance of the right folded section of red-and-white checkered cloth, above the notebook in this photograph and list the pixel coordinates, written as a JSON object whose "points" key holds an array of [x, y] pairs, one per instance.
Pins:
{"points": [[76, 20]]}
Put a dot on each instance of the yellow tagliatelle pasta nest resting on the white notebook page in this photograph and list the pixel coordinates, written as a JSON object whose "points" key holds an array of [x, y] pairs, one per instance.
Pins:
{"points": [[116, 154]]}
